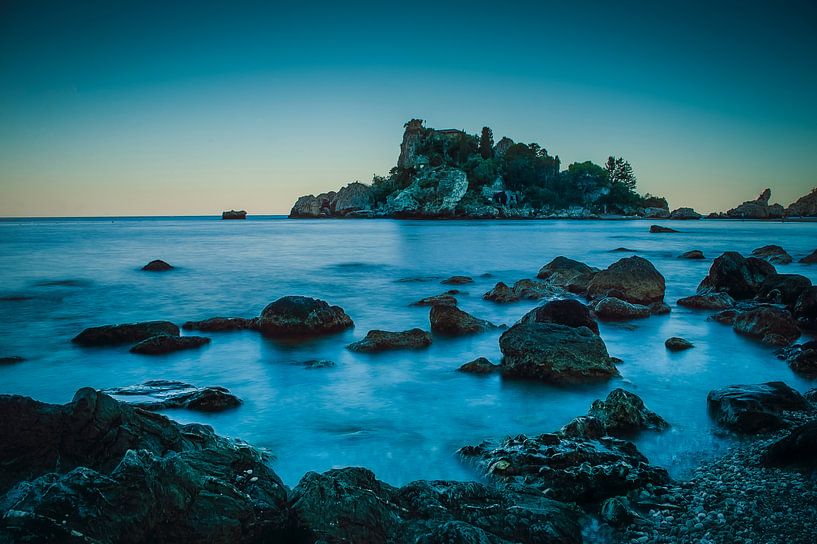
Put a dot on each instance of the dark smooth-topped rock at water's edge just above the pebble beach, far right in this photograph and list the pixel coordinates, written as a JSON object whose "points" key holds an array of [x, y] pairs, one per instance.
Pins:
{"points": [[751, 409]]}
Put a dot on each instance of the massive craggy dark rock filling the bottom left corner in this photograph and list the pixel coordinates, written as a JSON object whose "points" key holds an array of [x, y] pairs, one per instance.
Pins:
{"points": [[98, 470]]}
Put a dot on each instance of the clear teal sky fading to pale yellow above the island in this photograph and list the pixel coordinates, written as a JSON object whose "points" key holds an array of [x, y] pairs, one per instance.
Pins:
{"points": [[189, 108]]}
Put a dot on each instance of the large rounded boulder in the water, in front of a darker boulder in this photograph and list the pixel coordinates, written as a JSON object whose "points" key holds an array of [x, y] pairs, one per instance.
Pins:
{"points": [[555, 353]]}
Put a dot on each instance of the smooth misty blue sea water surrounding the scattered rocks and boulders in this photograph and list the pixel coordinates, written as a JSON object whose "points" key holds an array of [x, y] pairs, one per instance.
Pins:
{"points": [[403, 414]]}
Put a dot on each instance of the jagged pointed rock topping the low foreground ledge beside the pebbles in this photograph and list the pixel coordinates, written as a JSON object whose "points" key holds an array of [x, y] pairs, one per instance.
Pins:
{"points": [[623, 413]]}
